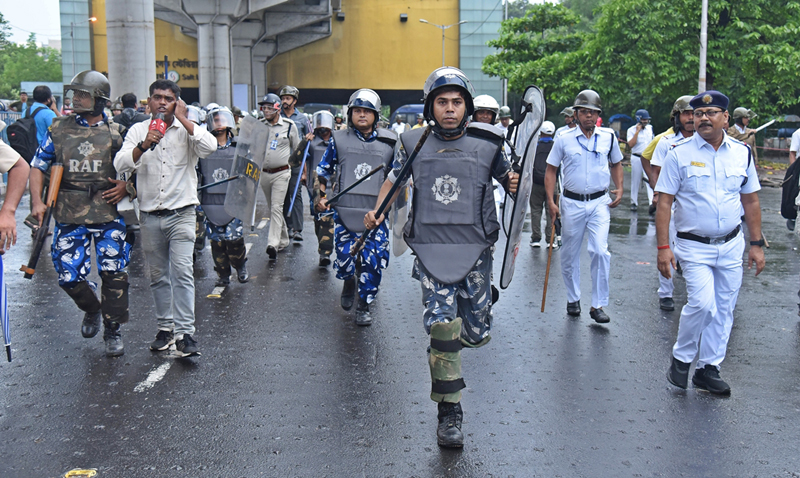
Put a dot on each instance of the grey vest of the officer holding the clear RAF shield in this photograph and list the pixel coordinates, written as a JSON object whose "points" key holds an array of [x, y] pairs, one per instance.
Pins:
{"points": [[216, 167]]}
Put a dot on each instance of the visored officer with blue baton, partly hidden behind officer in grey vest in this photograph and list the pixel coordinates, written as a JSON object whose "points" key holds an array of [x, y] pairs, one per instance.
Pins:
{"points": [[323, 124]]}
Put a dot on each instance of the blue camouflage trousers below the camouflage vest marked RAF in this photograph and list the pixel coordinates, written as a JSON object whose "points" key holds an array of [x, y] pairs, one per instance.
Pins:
{"points": [[71, 249]]}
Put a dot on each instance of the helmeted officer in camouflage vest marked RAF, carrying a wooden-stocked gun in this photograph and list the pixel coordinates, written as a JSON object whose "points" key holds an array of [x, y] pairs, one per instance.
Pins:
{"points": [[86, 143]]}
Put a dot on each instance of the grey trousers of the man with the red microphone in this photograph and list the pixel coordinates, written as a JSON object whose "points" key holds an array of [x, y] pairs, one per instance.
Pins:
{"points": [[168, 243]]}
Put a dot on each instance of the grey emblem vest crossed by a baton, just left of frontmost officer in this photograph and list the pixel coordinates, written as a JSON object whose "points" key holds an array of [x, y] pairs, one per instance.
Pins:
{"points": [[356, 159]]}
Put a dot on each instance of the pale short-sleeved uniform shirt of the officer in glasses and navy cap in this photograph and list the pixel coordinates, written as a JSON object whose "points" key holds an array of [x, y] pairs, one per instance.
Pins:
{"points": [[707, 184]]}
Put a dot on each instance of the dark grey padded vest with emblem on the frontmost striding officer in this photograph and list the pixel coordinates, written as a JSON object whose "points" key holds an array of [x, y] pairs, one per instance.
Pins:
{"points": [[453, 217]]}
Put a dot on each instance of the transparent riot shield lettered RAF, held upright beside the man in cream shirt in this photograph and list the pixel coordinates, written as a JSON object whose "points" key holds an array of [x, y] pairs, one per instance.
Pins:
{"points": [[240, 198]]}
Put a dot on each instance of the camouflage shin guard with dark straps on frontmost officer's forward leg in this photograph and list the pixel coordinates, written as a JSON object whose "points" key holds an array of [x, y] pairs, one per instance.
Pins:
{"points": [[445, 362]]}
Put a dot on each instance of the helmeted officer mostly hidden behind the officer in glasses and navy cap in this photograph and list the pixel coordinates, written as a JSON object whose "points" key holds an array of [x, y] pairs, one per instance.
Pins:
{"points": [[682, 122]]}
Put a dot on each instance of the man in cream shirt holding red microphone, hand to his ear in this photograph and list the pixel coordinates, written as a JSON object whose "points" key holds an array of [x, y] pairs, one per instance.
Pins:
{"points": [[167, 190]]}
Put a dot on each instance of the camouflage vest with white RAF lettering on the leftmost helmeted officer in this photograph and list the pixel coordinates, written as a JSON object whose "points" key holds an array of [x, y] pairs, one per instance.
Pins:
{"points": [[88, 157]]}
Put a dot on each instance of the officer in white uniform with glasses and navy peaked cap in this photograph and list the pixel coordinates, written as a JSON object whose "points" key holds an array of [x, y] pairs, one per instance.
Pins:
{"points": [[712, 177]]}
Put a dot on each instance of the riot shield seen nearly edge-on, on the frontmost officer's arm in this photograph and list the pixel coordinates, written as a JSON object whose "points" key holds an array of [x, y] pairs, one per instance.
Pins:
{"points": [[533, 110]]}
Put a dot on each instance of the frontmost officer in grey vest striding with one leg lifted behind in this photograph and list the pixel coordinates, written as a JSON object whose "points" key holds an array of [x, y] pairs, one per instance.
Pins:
{"points": [[452, 231]]}
